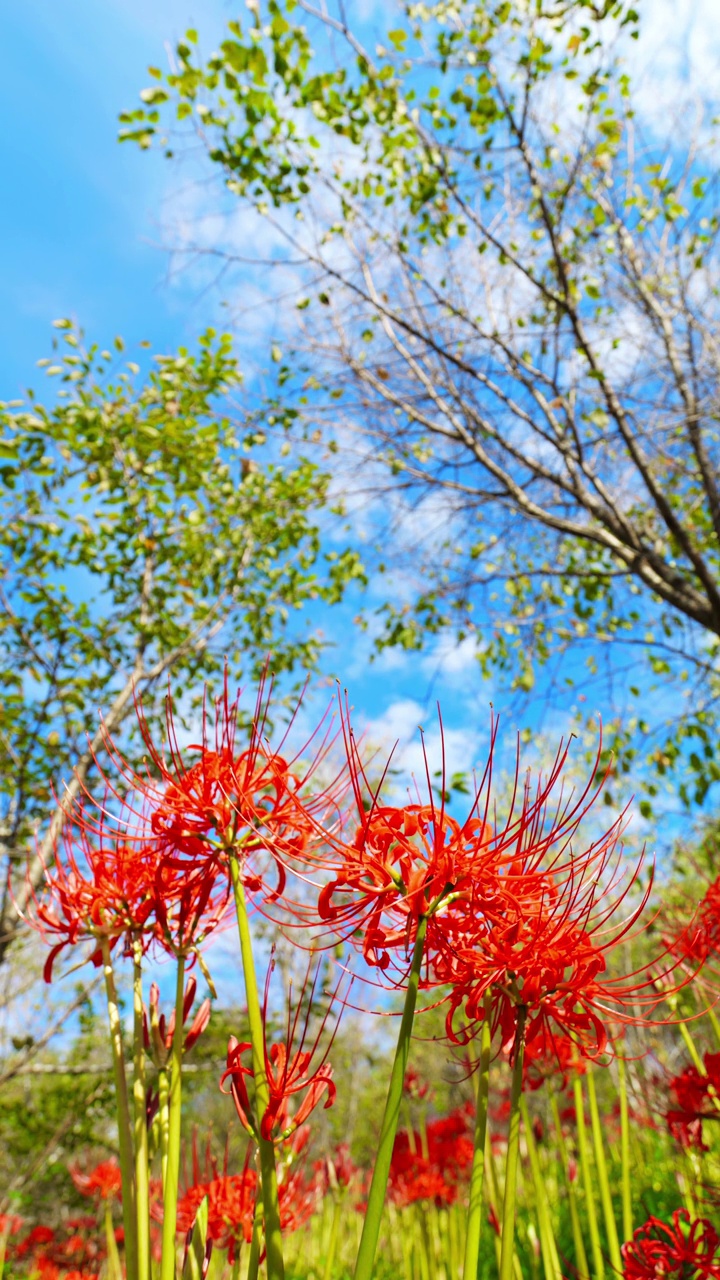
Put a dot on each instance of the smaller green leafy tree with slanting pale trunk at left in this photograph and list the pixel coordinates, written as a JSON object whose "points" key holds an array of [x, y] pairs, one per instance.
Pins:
{"points": [[147, 529]]}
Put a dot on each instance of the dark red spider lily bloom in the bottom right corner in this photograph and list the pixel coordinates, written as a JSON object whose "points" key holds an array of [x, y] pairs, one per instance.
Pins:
{"points": [[683, 1250]]}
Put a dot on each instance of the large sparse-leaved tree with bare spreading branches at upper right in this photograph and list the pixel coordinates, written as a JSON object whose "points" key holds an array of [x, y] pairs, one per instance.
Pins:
{"points": [[514, 295]]}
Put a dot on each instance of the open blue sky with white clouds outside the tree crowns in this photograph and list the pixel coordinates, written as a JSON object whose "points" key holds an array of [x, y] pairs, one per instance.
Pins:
{"points": [[83, 222]]}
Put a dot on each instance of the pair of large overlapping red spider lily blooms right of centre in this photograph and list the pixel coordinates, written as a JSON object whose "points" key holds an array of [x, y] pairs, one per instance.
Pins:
{"points": [[516, 912]]}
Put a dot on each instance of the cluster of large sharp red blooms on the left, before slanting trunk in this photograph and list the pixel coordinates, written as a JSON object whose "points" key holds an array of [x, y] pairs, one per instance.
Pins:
{"points": [[151, 862]]}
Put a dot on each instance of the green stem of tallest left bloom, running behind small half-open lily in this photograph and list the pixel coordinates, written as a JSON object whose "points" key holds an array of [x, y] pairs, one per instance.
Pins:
{"points": [[268, 1169]]}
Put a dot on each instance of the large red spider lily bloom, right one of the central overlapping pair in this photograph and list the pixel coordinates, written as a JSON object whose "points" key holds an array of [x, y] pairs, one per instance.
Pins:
{"points": [[544, 945]]}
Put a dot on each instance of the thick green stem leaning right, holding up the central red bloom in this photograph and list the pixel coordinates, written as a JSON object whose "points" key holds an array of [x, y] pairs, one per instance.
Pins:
{"points": [[391, 1117]]}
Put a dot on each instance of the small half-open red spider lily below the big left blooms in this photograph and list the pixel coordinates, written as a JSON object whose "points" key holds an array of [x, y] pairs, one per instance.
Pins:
{"points": [[289, 1069]]}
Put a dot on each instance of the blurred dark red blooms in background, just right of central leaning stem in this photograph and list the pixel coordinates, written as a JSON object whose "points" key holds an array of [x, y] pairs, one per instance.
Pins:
{"points": [[432, 1164]]}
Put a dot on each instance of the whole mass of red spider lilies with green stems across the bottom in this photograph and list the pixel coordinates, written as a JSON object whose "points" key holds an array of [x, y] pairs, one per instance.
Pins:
{"points": [[516, 925]]}
